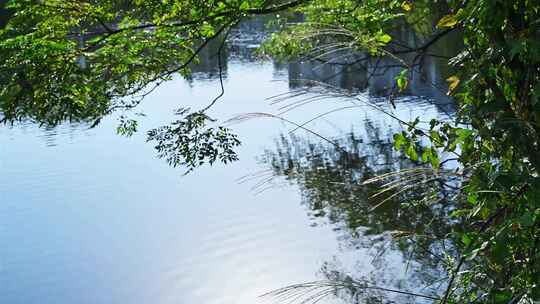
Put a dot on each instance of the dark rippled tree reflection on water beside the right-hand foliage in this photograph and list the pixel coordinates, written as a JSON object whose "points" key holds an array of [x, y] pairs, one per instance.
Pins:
{"points": [[406, 226]]}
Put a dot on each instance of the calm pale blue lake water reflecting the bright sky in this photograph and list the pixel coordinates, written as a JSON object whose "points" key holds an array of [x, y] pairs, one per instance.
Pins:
{"points": [[87, 216]]}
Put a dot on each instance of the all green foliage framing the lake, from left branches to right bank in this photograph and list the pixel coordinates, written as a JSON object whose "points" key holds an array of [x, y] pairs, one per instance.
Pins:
{"points": [[80, 60]]}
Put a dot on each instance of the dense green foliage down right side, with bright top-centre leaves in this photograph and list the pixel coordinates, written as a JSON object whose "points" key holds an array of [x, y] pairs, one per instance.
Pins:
{"points": [[495, 136]]}
